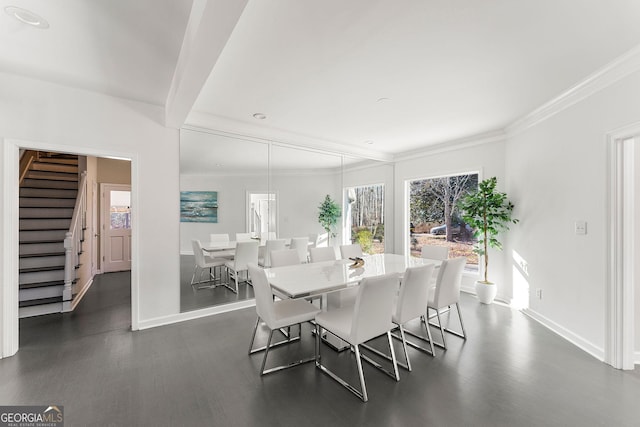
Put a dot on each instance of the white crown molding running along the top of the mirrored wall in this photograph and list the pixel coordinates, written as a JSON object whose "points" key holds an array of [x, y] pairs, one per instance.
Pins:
{"points": [[202, 121]]}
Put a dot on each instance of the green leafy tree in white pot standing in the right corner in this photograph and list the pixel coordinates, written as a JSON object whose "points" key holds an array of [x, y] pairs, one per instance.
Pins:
{"points": [[488, 213]]}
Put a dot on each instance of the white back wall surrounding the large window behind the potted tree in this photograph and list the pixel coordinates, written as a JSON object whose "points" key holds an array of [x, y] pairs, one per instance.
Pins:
{"points": [[486, 158]]}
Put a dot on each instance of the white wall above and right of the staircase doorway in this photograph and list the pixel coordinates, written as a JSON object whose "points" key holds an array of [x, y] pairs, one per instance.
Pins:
{"points": [[64, 119]]}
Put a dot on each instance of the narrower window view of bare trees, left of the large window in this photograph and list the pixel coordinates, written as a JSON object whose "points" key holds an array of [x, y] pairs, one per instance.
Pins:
{"points": [[364, 216]]}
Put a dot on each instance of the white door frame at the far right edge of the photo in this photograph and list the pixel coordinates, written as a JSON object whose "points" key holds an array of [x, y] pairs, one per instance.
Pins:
{"points": [[620, 302]]}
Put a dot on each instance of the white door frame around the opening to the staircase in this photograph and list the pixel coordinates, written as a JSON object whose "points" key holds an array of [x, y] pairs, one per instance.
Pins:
{"points": [[9, 324]]}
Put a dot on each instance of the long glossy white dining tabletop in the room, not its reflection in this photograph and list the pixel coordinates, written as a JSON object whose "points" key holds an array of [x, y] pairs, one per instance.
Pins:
{"points": [[306, 280]]}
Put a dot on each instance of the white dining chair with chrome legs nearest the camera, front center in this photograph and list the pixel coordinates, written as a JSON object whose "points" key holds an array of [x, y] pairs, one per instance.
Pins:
{"points": [[369, 318]]}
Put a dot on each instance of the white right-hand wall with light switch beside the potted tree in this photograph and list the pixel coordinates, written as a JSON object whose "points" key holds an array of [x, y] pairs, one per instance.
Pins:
{"points": [[557, 174]]}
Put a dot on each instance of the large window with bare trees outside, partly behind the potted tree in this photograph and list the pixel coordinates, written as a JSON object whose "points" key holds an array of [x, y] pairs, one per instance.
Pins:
{"points": [[435, 219]]}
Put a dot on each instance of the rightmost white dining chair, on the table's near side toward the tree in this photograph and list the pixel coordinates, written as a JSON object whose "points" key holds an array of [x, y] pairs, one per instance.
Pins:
{"points": [[445, 294]]}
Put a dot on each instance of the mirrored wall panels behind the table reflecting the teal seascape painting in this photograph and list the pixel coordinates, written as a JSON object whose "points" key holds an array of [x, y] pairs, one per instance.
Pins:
{"points": [[251, 189]]}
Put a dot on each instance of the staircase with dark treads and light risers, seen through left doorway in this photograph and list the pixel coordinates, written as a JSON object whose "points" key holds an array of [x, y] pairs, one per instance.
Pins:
{"points": [[48, 195]]}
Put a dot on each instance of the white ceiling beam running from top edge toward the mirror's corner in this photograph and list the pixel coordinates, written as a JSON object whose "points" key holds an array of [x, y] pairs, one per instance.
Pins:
{"points": [[210, 25]]}
